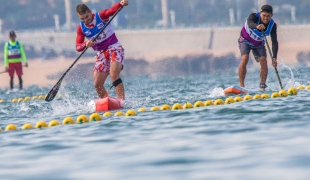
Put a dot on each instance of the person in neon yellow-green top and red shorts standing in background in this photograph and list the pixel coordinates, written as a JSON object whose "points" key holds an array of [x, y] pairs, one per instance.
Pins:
{"points": [[13, 53]]}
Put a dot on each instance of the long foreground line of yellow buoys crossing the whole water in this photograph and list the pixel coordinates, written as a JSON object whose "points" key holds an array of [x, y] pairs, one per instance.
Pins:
{"points": [[97, 117]]}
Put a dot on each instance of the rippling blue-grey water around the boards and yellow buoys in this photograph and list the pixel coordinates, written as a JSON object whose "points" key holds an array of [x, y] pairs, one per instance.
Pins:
{"points": [[259, 139]]}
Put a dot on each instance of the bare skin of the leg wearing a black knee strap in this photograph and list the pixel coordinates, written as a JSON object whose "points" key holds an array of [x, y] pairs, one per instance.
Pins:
{"points": [[115, 70]]}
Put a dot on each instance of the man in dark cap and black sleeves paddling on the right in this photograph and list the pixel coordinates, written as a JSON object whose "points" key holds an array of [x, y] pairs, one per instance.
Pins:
{"points": [[252, 38]]}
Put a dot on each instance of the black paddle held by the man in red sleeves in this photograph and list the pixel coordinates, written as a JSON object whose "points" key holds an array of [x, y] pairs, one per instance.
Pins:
{"points": [[51, 95]]}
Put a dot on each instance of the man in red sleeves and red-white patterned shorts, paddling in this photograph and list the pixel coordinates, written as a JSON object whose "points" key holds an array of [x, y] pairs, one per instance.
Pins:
{"points": [[110, 53]]}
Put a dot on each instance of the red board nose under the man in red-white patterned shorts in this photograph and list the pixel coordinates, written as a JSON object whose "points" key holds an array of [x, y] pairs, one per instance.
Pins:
{"points": [[108, 104]]}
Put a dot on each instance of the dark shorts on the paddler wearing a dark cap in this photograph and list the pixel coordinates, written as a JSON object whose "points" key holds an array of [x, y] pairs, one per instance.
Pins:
{"points": [[245, 48]]}
